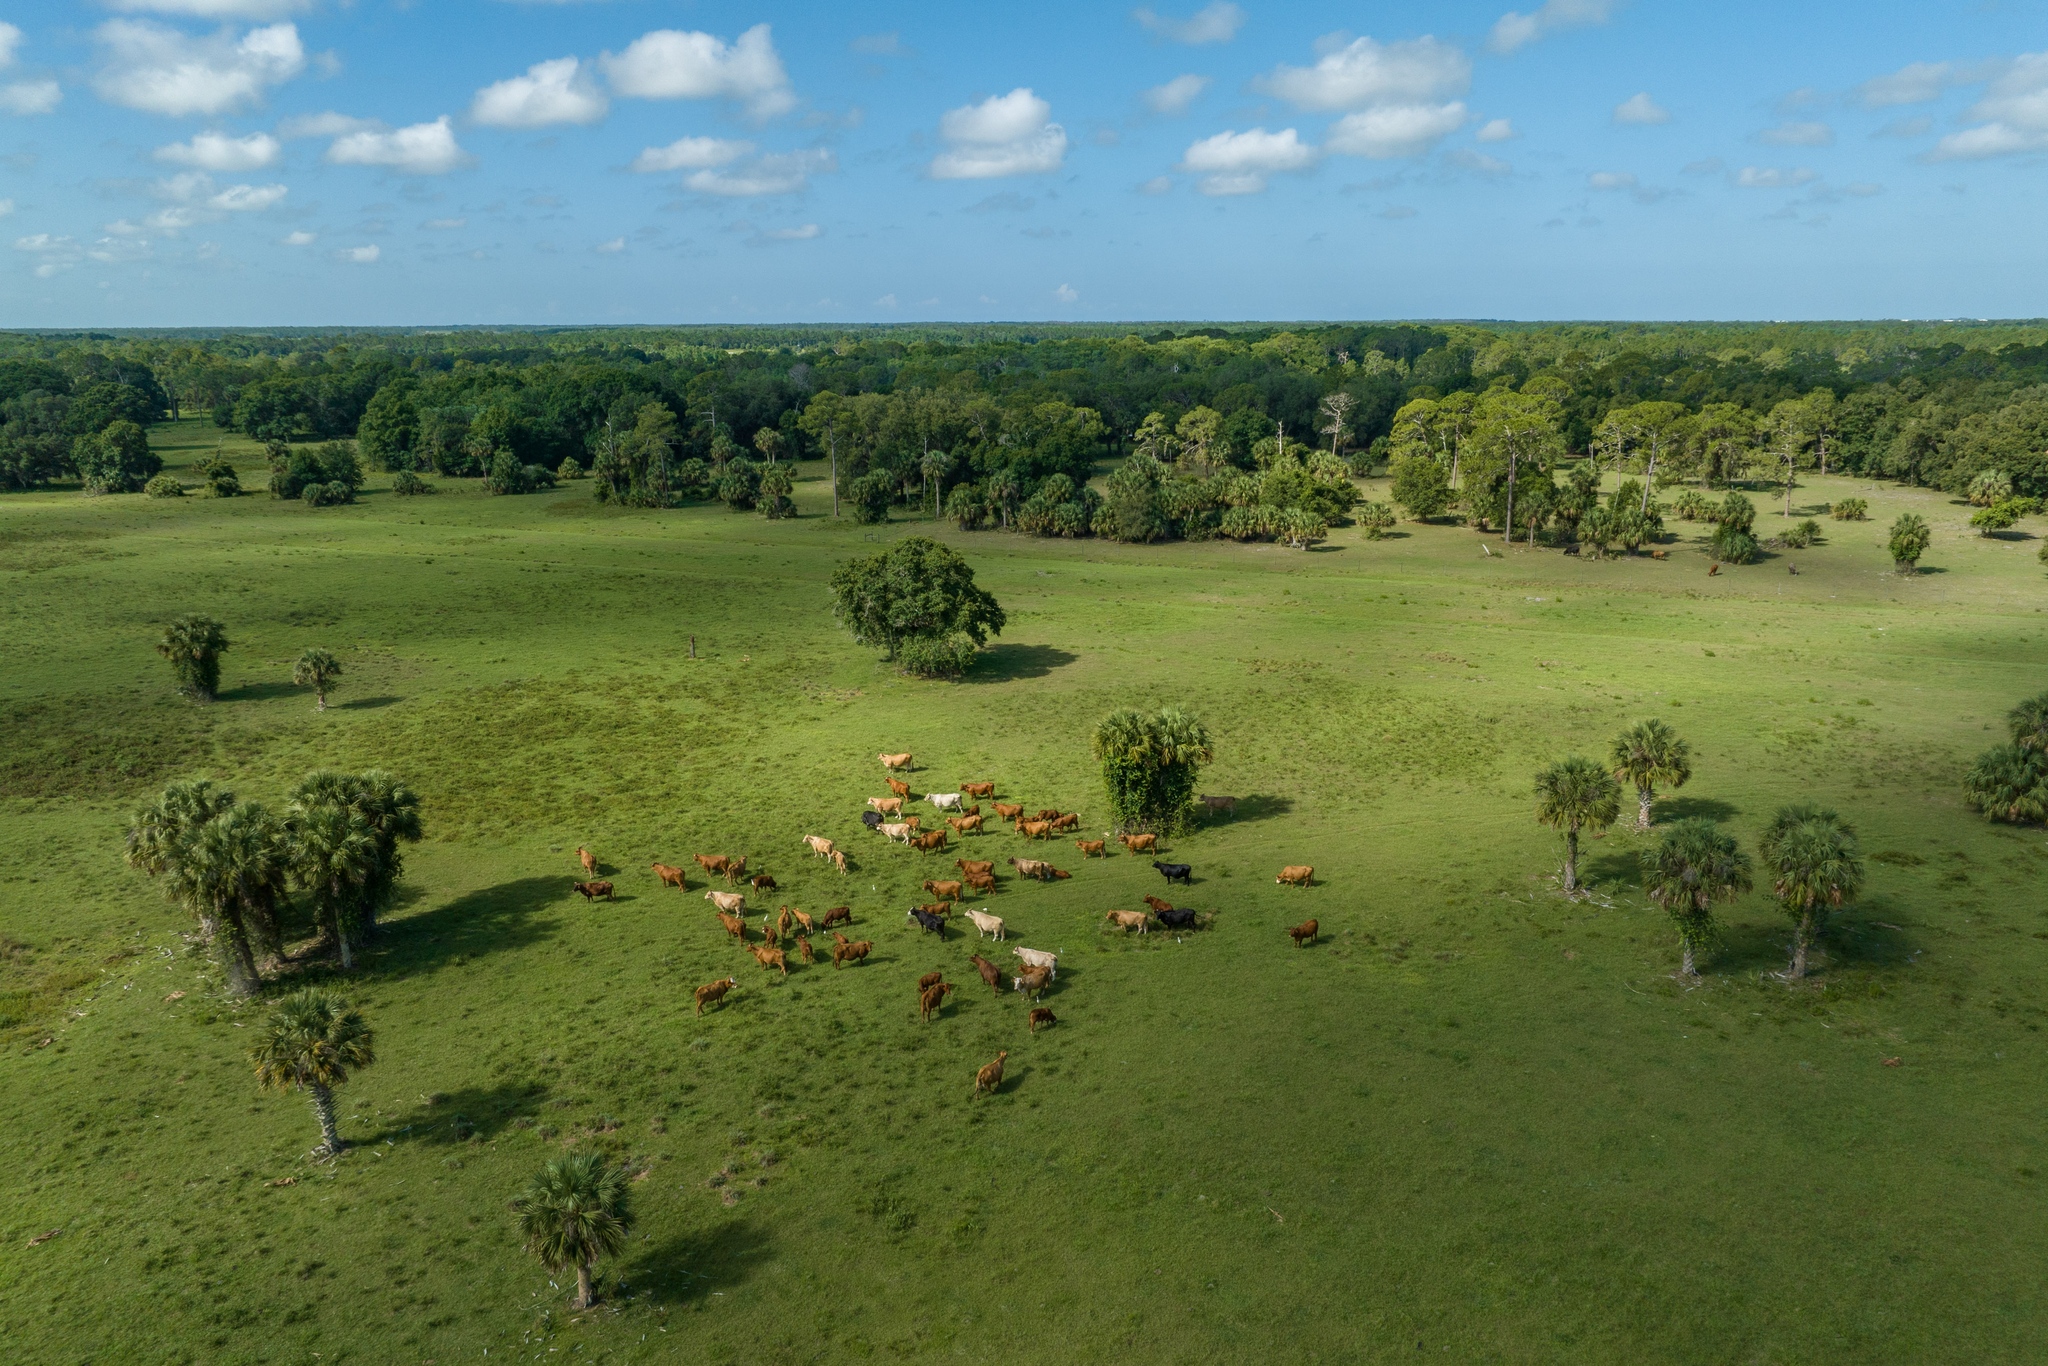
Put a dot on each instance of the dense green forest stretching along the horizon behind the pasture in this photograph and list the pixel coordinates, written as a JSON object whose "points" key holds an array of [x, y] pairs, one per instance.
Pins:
{"points": [[1007, 425]]}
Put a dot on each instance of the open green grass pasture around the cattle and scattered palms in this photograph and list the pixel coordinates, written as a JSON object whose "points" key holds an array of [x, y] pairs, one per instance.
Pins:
{"points": [[1476, 1123]]}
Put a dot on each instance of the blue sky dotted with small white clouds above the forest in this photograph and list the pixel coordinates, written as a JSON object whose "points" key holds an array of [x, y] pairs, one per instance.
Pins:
{"points": [[208, 163]]}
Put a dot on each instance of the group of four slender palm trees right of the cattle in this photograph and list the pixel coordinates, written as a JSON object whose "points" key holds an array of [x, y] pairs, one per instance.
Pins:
{"points": [[1809, 853]]}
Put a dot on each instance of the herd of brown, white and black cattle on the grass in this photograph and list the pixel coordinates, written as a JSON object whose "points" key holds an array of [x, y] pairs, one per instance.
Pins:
{"points": [[1037, 968]]}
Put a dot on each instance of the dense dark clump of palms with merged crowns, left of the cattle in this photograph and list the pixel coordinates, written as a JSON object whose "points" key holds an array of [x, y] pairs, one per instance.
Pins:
{"points": [[232, 863]]}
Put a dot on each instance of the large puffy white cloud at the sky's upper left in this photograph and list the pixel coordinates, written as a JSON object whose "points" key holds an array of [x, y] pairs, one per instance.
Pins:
{"points": [[165, 73]]}
